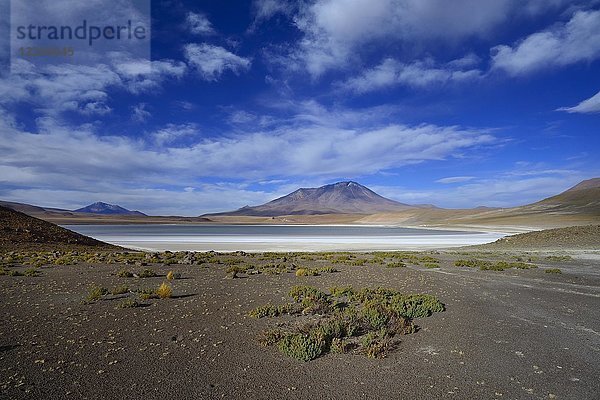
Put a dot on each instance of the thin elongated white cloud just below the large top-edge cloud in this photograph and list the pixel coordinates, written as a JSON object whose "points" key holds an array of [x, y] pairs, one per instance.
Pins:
{"points": [[416, 74]]}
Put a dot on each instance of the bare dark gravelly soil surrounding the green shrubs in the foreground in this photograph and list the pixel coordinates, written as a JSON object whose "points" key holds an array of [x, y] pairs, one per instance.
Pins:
{"points": [[516, 334]]}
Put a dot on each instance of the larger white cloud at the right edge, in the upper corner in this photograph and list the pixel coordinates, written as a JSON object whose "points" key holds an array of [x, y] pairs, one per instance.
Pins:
{"points": [[578, 40]]}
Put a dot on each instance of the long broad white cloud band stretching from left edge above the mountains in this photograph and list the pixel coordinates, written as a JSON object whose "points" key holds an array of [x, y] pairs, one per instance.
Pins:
{"points": [[305, 145]]}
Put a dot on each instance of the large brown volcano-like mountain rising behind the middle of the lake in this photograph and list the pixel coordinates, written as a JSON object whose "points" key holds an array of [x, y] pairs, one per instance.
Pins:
{"points": [[338, 198]]}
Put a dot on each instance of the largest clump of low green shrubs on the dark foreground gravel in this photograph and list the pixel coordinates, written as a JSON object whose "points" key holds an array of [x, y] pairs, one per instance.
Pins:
{"points": [[368, 319]]}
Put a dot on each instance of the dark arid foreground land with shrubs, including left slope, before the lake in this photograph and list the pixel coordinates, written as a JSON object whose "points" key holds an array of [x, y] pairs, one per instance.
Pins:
{"points": [[517, 319]]}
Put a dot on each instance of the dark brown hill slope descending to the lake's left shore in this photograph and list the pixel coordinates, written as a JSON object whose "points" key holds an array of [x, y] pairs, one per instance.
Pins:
{"points": [[19, 231]]}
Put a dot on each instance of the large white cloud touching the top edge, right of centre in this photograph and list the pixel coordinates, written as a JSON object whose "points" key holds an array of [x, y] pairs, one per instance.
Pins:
{"points": [[336, 31]]}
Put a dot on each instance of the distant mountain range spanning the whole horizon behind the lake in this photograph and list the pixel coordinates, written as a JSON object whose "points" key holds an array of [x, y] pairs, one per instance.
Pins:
{"points": [[351, 202]]}
